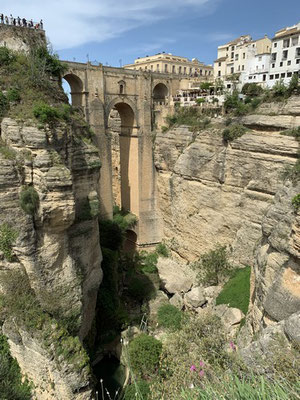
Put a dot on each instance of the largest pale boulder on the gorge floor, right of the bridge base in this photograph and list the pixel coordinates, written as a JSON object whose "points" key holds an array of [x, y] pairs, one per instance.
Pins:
{"points": [[175, 277]]}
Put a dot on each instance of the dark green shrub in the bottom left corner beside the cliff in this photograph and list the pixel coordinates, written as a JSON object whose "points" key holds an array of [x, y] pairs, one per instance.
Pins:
{"points": [[12, 386]]}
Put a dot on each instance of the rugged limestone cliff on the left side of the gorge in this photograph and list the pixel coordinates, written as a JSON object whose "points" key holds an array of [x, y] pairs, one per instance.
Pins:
{"points": [[57, 249]]}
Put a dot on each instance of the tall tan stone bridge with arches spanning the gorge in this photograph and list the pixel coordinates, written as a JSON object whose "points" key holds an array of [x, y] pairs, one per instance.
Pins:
{"points": [[142, 99]]}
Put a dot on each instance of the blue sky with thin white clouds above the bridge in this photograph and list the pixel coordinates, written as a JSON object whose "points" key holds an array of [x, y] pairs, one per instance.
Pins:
{"points": [[115, 32]]}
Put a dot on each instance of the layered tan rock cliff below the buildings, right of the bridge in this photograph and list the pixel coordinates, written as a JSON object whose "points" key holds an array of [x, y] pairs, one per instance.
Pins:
{"points": [[236, 194]]}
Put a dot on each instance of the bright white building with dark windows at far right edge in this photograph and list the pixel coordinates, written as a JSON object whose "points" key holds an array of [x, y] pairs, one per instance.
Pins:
{"points": [[285, 55]]}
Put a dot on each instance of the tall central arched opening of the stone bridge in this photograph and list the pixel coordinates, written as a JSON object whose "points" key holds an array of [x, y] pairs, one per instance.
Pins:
{"points": [[124, 150]]}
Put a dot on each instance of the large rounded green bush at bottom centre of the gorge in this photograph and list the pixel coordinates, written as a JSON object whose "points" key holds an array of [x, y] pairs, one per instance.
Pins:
{"points": [[144, 352]]}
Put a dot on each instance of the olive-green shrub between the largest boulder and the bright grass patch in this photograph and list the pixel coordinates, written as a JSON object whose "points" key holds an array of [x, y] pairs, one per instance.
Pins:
{"points": [[213, 266]]}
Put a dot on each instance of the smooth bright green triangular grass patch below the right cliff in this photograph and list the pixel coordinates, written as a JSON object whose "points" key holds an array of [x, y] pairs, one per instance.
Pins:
{"points": [[236, 292]]}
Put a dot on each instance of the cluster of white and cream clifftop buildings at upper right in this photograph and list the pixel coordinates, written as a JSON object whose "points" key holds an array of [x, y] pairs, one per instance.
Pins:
{"points": [[262, 61]]}
